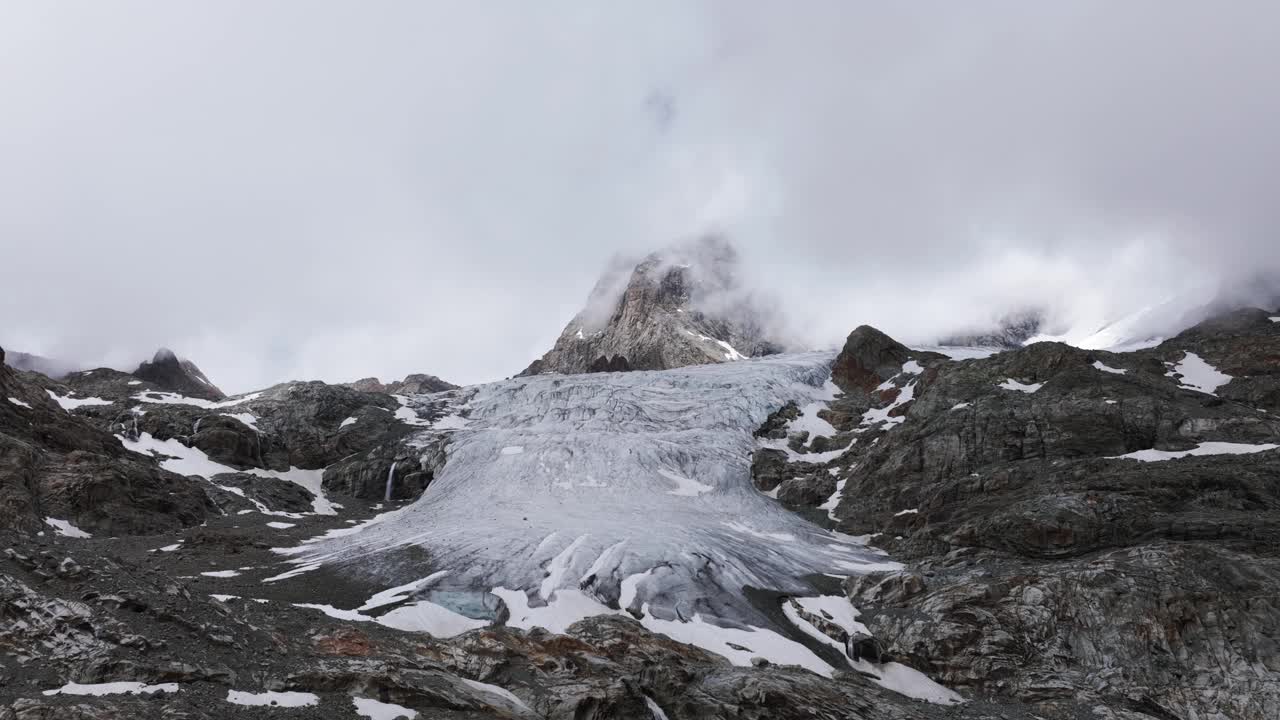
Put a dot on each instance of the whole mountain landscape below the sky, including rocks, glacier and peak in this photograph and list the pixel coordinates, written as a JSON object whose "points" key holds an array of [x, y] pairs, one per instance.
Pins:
{"points": [[1044, 534]]}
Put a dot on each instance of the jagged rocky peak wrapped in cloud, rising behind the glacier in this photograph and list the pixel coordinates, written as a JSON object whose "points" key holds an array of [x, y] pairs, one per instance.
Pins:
{"points": [[684, 306]]}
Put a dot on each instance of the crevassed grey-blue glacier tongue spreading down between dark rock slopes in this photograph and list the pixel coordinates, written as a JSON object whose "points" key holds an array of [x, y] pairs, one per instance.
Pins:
{"points": [[633, 491]]}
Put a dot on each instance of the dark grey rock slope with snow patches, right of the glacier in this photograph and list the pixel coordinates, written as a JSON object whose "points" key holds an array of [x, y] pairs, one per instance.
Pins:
{"points": [[1044, 567]]}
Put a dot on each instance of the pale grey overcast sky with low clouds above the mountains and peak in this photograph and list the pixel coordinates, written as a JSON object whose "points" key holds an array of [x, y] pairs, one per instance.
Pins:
{"points": [[296, 190]]}
